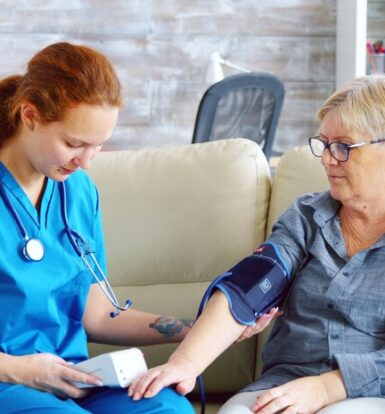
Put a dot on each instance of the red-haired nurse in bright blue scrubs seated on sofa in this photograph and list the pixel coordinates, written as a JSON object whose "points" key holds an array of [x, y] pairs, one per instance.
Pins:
{"points": [[53, 120]]}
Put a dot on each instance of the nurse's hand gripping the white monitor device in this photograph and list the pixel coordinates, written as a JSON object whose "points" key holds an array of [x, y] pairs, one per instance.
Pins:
{"points": [[50, 373]]}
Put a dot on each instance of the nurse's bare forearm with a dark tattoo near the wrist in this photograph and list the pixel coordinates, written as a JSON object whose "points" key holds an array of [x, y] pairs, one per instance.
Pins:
{"points": [[131, 327]]}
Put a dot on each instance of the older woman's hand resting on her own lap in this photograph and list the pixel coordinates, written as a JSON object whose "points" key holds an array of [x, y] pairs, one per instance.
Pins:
{"points": [[305, 395]]}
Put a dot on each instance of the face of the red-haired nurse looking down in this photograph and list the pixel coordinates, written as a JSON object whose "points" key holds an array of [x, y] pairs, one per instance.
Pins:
{"points": [[57, 149]]}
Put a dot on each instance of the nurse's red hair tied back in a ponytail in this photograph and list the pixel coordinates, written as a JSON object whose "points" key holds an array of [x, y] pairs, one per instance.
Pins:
{"points": [[58, 77]]}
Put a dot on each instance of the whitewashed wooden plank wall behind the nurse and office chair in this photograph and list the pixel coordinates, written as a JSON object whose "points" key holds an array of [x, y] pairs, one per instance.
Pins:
{"points": [[160, 49]]}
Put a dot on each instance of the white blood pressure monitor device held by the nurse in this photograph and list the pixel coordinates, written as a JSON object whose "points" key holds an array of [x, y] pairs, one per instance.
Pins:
{"points": [[114, 369]]}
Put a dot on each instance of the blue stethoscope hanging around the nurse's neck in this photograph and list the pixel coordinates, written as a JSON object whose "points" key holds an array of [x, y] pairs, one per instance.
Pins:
{"points": [[33, 249]]}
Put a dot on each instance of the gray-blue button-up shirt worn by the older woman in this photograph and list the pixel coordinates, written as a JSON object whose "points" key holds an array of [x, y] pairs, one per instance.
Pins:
{"points": [[335, 311]]}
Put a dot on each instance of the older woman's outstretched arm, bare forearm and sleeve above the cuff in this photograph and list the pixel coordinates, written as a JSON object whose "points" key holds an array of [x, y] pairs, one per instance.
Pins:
{"points": [[216, 329]]}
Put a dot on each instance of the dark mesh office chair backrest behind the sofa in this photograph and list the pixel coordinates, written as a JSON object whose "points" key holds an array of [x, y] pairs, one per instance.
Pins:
{"points": [[246, 105]]}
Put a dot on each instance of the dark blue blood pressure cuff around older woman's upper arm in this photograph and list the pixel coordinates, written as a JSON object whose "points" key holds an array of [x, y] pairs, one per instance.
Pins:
{"points": [[255, 285]]}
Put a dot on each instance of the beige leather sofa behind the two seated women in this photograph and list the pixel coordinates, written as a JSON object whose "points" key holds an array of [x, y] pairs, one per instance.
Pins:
{"points": [[177, 217]]}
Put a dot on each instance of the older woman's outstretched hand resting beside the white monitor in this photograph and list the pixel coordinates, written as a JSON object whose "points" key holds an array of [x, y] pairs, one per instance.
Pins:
{"points": [[176, 371]]}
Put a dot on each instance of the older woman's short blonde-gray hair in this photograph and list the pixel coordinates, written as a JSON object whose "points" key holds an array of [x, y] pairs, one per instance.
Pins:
{"points": [[360, 105]]}
